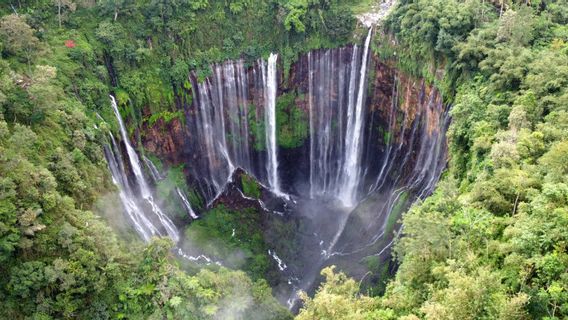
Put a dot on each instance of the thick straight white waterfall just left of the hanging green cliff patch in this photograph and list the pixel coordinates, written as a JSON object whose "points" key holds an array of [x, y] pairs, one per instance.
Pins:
{"points": [[270, 122]]}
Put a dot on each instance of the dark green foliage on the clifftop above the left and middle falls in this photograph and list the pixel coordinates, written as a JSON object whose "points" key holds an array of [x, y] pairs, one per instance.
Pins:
{"points": [[151, 46]]}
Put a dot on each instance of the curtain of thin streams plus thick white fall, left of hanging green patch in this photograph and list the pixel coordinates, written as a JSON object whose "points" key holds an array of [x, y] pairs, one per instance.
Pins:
{"points": [[234, 118]]}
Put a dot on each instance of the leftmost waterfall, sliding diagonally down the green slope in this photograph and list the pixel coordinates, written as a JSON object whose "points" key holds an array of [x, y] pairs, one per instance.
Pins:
{"points": [[142, 185]]}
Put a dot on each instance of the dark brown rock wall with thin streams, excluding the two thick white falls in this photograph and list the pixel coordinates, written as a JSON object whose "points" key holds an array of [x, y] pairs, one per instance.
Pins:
{"points": [[402, 116]]}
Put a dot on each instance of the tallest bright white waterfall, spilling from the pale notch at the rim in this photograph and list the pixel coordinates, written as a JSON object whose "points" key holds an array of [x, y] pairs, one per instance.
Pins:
{"points": [[353, 137]]}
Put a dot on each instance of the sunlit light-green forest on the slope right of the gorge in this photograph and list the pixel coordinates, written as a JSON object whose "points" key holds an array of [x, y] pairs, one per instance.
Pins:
{"points": [[479, 247]]}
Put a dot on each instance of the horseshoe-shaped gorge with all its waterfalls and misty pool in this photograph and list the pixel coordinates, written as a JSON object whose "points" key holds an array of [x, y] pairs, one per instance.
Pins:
{"points": [[340, 148]]}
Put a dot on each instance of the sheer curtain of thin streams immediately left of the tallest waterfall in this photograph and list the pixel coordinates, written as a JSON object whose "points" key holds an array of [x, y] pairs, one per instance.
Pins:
{"points": [[331, 92]]}
